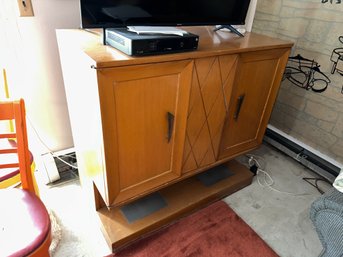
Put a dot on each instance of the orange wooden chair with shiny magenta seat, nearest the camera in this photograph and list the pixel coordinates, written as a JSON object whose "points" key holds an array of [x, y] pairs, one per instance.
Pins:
{"points": [[25, 228]]}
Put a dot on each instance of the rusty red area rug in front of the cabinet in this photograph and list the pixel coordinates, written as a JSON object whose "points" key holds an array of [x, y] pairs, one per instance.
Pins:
{"points": [[213, 231]]}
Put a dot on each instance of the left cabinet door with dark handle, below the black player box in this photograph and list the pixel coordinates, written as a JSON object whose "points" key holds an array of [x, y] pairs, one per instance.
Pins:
{"points": [[144, 111]]}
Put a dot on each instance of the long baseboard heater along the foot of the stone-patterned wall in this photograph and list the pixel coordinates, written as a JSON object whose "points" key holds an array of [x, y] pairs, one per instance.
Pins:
{"points": [[302, 154]]}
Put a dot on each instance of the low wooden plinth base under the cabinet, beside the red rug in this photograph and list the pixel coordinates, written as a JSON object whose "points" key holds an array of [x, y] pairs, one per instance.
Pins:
{"points": [[182, 199]]}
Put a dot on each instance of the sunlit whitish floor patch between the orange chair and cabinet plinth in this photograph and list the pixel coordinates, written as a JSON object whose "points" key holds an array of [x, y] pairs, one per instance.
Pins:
{"points": [[81, 236]]}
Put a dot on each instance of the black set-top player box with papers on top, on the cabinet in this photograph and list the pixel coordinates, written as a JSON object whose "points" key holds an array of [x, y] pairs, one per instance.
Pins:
{"points": [[149, 44]]}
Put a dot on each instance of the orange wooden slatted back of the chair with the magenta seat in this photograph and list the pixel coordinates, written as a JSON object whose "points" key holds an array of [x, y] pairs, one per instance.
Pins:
{"points": [[15, 110]]}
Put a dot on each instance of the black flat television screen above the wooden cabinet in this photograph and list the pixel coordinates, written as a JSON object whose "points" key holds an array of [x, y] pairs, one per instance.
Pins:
{"points": [[121, 13]]}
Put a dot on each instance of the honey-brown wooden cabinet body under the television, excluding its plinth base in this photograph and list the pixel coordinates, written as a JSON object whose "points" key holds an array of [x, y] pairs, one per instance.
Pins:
{"points": [[152, 121]]}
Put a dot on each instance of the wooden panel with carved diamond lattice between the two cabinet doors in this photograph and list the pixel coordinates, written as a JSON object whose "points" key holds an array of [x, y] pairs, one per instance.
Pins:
{"points": [[210, 93]]}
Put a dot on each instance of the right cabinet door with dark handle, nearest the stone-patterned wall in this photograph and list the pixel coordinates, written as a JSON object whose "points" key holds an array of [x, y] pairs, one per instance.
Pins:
{"points": [[254, 92]]}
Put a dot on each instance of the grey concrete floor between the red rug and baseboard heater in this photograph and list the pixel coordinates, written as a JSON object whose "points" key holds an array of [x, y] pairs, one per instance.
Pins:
{"points": [[281, 219]]}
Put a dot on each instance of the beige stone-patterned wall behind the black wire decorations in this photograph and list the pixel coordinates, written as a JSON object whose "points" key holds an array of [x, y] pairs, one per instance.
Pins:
{"points": [[314, 26]]}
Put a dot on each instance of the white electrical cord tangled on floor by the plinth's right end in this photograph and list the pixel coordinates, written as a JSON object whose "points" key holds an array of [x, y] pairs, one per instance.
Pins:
{"points": [[266, 180]]}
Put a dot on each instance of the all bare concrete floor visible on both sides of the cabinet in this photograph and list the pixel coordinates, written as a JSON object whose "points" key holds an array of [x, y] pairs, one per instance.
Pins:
{"points": [[281, 219]]}
